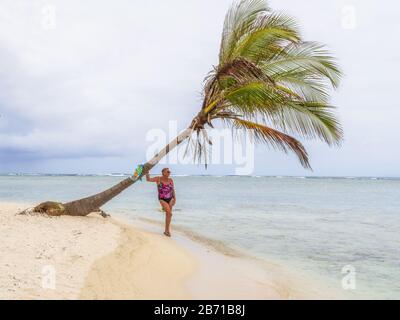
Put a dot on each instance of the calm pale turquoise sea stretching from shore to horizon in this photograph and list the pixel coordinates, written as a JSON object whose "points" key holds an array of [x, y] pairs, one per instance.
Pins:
{"points": [[314, 225]]}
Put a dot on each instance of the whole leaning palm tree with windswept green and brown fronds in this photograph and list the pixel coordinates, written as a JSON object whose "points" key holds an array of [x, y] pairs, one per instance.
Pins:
{"points": [[268, 82]]}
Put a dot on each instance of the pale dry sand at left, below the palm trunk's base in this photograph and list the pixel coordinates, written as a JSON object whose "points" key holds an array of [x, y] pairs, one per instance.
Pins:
{"points": [[32, 247]]}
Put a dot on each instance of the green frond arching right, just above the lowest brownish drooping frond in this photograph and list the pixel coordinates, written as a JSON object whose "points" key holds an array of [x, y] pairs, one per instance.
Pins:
{"points": [[286, 110]]}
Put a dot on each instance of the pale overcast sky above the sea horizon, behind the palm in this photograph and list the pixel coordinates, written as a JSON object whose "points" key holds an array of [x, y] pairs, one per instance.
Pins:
{"points": [[82, 82]]}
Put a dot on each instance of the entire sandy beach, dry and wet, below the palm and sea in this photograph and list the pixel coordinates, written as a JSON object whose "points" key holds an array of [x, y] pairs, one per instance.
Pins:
{"points": [[96, 258]]}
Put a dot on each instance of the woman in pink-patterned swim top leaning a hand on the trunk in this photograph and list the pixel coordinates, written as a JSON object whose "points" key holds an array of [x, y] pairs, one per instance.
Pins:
{"points": [[166, 195]]}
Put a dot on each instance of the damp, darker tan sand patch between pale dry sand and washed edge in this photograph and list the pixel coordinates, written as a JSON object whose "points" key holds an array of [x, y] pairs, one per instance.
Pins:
{"points": [[143, 266]]}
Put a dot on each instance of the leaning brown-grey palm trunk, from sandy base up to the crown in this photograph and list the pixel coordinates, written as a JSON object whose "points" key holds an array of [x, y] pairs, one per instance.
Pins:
{"points": [[84, 206]]}
